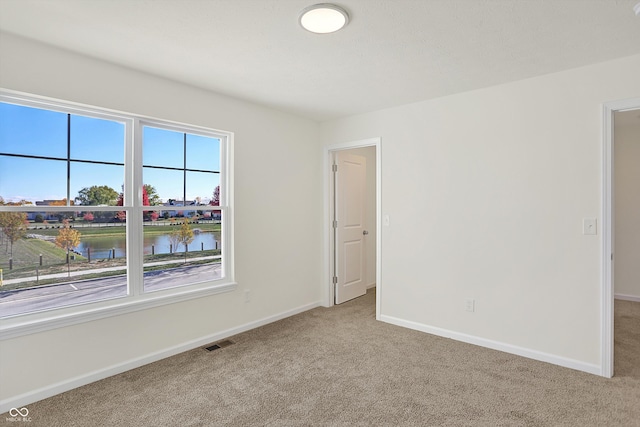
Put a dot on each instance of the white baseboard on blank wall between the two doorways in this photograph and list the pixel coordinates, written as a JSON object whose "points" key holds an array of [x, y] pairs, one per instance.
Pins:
{"points": [[495, 345]]}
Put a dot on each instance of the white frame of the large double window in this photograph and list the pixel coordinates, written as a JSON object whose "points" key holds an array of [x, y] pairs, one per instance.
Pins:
{"points": [[136, 299]]}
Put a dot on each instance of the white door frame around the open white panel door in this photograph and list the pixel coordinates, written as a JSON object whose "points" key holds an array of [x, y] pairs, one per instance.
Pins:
{"points": [[329, 291]]}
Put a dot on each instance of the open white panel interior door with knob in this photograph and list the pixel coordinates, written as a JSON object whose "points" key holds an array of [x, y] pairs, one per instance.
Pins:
{"points": [[349, 225]]}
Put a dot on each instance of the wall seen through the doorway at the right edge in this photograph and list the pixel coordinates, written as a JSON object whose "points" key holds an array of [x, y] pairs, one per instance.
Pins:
{"points": [[627, 206]]}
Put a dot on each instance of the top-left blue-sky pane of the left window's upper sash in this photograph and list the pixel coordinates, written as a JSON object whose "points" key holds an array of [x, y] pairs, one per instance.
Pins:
{"points": [[32, 131]]}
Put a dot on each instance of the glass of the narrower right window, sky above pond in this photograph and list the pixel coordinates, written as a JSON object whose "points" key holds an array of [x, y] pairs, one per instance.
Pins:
{"points": [[186, 169]]}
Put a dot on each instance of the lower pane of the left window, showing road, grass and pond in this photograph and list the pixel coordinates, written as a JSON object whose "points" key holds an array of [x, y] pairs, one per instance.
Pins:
{"points": [[58, 259]]}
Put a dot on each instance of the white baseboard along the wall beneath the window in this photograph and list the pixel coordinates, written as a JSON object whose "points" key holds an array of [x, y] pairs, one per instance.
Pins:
{"points": [[60, 387]]}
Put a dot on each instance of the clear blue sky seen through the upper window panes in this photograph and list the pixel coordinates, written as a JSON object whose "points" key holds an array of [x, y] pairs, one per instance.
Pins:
{"points": [[31, 131]]}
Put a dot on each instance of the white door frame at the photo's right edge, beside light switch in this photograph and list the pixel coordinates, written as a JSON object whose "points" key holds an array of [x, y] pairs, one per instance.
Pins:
{"points": [[608, 228]]}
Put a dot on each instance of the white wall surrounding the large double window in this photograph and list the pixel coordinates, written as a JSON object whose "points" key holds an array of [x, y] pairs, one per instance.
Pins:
{"points": [[270, 148]]}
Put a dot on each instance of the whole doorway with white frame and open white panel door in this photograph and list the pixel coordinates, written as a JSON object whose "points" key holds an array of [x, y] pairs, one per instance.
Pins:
{"points": [[356, 157]]}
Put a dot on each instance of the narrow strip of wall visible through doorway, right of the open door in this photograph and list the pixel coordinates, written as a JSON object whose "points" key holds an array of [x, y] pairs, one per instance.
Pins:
{"points": [[369, 153]]}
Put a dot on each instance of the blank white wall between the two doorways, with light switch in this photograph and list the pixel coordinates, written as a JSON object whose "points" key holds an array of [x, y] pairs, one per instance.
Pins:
{"points": [[486, 192]]}
